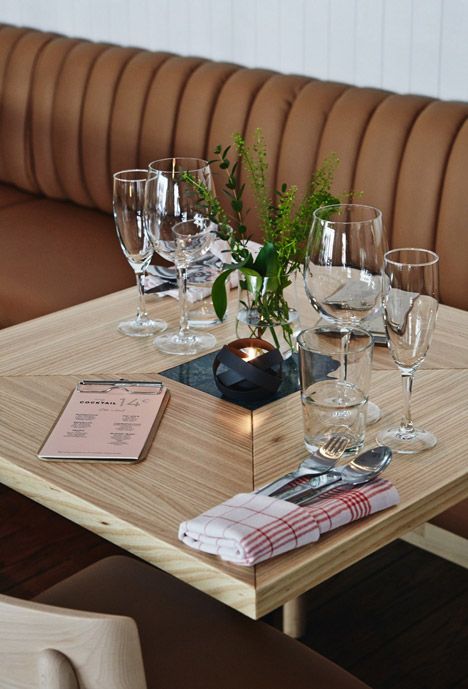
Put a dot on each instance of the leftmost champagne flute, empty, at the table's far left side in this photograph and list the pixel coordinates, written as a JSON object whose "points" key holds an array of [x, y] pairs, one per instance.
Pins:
{"points": [[128, 205]]}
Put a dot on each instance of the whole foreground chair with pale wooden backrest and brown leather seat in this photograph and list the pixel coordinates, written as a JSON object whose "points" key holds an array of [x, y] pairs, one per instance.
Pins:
{"points": [[141, 620]]}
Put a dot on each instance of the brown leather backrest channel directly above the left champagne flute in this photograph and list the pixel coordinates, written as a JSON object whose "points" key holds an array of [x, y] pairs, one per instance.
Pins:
{"points": [[129, 108]]}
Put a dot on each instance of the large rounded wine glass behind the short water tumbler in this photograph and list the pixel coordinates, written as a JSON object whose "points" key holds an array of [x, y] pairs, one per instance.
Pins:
{"points": [[343, 269]]}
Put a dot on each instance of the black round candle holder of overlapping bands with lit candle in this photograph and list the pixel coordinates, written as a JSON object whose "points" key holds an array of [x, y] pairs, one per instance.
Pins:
{"points": [[248, 370]]}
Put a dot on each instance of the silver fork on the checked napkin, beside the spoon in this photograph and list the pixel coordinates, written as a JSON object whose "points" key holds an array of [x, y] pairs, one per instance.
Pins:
{"points": [[317, 464]]}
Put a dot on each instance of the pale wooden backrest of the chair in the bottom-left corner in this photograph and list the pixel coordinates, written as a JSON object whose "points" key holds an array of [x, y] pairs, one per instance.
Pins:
{"points": [[44, 647]]}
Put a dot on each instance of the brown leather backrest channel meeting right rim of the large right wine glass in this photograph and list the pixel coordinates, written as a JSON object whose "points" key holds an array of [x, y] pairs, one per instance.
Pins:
{"points": [[382, 150]]}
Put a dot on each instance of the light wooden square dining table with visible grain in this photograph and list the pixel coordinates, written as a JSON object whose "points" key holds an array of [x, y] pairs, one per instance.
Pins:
{"points": [[208, 449]]}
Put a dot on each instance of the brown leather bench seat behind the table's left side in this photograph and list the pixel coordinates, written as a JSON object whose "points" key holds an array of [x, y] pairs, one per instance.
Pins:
{"points": [[54, 255]]}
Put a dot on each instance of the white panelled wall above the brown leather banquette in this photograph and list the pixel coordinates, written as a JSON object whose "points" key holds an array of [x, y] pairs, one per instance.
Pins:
{"points": [[417, 46]]}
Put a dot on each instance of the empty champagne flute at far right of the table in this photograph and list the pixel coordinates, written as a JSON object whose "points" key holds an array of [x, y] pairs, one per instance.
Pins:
{"points": [[410, 309]]}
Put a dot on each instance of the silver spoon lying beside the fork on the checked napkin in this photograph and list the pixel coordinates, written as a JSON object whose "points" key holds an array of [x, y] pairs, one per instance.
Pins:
{"points": [[359, 470]]}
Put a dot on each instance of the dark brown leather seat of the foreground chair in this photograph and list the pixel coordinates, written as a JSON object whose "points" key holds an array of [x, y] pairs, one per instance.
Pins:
{"points": [[191, 640]]}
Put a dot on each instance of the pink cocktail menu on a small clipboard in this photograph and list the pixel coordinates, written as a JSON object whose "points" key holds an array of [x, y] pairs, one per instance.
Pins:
{"points": [[107, 421]]}
